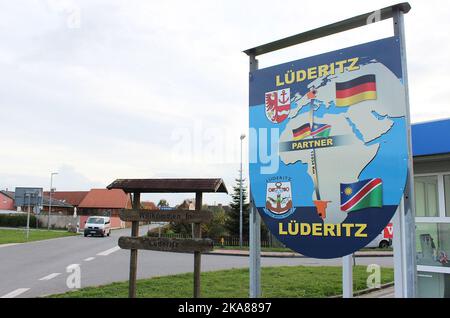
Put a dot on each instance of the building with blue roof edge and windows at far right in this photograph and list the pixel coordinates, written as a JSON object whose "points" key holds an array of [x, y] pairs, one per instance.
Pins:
{"points": [[431, 149]]}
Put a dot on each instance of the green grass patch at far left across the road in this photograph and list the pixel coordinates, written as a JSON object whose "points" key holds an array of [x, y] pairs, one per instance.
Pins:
{"points": [[20, 236]]}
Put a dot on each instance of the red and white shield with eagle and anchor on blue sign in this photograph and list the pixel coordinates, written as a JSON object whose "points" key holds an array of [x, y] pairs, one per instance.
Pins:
{"points": [[278, 105]]}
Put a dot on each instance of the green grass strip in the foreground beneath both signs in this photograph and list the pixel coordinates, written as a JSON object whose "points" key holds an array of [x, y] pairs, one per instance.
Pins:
{"points": [[286, 282]]}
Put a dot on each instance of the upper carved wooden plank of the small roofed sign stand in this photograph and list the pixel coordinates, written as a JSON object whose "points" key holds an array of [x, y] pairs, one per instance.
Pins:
{"points": [[178, 216]]}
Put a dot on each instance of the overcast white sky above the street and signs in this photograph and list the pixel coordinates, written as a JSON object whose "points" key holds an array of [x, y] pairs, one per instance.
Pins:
{"points": [[101, 89]]}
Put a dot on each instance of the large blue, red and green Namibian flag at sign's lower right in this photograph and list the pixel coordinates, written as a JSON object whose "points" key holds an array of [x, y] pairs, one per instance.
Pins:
{"points": [[362, 195]]}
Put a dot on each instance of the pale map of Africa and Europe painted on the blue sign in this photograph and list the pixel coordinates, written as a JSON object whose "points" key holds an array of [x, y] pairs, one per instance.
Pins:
{"points": [[363, 125]]}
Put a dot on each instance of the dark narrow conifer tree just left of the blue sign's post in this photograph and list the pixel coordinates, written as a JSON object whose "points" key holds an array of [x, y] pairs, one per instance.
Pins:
{"points": [[232, 222]]}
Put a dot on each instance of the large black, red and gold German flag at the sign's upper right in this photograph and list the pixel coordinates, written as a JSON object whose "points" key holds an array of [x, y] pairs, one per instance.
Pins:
{"points": [[357, 90]]}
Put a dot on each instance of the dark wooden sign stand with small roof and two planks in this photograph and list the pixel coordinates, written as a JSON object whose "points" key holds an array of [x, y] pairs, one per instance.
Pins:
{"points": [[196, 245]]}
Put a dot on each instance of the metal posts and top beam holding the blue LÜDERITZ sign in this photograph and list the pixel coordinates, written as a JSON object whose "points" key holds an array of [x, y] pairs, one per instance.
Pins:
{"points": [[405, 269]]}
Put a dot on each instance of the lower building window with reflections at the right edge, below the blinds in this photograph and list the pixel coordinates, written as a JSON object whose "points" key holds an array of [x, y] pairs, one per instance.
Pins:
{"points": [[433, 244]]}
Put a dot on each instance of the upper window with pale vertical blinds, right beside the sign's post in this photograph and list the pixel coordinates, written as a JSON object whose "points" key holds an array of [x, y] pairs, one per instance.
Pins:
{"points": [[426, 196]]}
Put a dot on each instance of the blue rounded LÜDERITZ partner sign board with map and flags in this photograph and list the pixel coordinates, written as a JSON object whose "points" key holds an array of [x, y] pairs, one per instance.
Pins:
{"points": [[330, 147]]}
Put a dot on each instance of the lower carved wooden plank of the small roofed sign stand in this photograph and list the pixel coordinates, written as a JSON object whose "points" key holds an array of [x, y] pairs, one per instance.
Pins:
{"points": [[166, 244]]}
